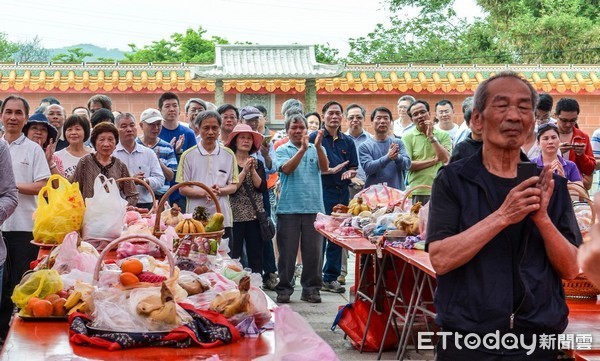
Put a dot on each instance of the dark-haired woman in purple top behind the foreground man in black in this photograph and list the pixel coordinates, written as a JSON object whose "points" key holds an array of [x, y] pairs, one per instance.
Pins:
{"points": [[548, 141]]}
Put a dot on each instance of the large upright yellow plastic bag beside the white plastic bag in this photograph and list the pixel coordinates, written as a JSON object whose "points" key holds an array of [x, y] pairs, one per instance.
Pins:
{"points": [[60, 211]]}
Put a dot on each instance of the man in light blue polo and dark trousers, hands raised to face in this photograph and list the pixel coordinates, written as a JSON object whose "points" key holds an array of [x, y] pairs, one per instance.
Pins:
{"points": [[300, 164]]}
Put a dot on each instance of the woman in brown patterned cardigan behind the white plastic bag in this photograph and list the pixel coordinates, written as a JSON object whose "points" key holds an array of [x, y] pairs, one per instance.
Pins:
{"points": [[105, 137]]}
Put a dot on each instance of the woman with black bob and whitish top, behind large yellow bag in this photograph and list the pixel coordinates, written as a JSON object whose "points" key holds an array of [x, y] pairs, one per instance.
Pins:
{"points": [[76, 131]]}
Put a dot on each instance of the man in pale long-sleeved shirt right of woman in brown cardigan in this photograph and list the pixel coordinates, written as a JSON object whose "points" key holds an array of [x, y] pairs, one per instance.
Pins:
{"points": [[141, 161]]}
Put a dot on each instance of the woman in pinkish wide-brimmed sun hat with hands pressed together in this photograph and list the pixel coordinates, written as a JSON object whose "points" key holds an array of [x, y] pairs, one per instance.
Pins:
{"points": [[244, 142]]}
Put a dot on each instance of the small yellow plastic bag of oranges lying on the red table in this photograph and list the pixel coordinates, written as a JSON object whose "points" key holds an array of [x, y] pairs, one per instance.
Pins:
{"points": [[39, 284]]}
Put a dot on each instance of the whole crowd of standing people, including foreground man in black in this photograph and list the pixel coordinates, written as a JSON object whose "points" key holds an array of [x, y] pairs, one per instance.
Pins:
{"points": [[312, 165]]}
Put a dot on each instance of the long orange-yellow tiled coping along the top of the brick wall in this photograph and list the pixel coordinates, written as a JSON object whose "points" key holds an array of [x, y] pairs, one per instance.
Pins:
{"points": [[378, 78]]}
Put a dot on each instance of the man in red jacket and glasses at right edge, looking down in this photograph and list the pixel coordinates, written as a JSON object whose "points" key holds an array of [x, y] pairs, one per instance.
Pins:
{"points": [[574, 144]]}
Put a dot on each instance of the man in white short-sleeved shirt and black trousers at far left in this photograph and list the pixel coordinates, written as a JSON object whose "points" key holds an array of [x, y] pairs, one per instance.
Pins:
{"points": [[31, 174]]}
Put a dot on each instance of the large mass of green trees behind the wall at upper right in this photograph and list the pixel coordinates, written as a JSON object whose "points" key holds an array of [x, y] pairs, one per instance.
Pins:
{"points": [[520, 31]]}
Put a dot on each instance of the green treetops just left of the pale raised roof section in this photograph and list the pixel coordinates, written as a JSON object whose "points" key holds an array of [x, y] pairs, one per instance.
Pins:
{"points": [[190, 46]]}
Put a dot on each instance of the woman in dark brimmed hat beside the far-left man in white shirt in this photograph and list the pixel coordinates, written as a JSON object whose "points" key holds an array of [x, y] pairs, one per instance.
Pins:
{"points": [[39, 130]]}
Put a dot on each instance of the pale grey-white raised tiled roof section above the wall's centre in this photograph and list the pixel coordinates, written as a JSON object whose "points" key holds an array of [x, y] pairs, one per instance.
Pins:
{"points": [[265, 62]]}
